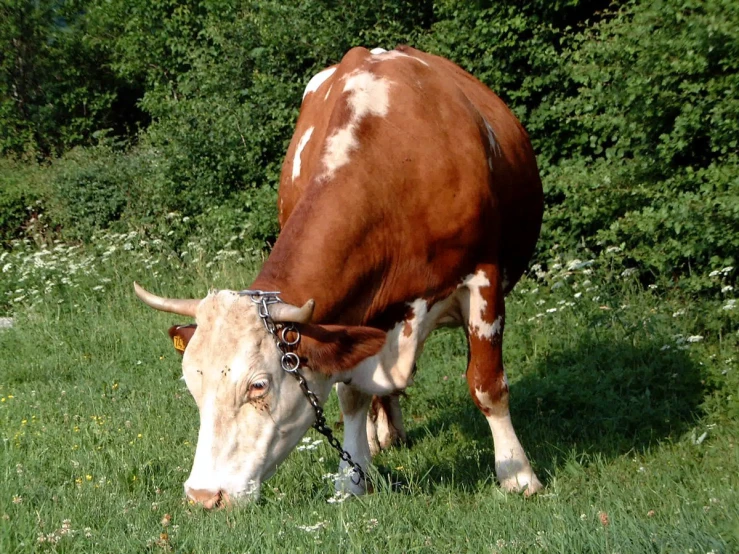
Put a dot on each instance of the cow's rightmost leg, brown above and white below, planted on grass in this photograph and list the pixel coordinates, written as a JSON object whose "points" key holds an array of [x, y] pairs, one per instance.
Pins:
{"points": [[484, 311]]}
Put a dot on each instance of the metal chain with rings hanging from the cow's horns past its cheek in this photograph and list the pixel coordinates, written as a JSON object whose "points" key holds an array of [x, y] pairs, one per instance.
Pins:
{"points": [[290, 363]]}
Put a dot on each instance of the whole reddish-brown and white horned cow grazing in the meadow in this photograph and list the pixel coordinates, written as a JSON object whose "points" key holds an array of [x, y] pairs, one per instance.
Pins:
{"points": [[409, 199]]}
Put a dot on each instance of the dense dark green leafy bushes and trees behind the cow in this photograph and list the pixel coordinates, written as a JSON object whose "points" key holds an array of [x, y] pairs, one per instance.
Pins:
{"points": [[632, 109]]}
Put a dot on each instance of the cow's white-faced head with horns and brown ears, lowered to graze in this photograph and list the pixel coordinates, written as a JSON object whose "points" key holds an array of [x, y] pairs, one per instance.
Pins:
{"points": [[252, 413]]}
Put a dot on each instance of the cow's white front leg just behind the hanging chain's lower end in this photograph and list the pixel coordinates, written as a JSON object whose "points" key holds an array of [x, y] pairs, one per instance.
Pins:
{"points": [[354, 405]]}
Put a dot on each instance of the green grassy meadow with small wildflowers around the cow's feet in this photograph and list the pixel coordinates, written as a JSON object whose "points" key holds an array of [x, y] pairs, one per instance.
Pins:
{"points": [[625, 401]]}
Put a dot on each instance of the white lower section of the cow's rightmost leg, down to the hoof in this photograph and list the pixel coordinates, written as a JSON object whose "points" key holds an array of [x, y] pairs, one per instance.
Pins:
{"points": [[512, 467]]}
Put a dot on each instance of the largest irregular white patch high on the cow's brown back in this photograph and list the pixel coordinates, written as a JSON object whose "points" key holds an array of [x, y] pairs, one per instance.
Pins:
{"points": [[368, 95]]}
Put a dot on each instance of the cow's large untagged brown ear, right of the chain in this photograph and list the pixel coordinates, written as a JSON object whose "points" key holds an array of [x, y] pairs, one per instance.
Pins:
{"points": [[331, 349]]}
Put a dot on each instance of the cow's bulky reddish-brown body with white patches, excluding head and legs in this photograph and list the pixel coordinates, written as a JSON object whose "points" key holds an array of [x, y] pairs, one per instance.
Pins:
{"points": [[404, 172]]}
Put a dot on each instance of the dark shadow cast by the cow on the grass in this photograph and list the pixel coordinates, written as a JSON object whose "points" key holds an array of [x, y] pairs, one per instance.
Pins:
{"points": [[599, 399]]}
